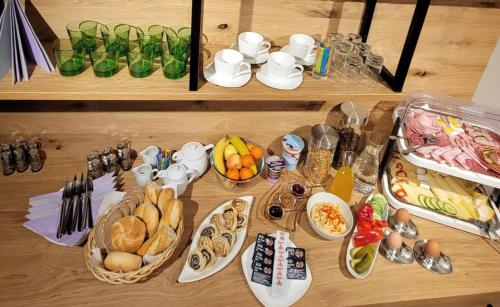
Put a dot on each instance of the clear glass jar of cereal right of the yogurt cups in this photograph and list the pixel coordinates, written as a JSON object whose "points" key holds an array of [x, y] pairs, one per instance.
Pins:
{"points": [[322, 143]]}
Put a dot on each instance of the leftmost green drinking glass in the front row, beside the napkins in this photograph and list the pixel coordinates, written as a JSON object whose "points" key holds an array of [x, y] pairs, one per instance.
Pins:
{"points": [[70, 61]]}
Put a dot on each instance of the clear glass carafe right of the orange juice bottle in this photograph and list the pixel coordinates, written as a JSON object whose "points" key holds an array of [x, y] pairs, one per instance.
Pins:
{"points": [[365, 168]]}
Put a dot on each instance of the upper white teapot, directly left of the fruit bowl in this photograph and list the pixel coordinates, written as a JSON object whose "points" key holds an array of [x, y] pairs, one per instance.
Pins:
{"points": [[194, 156]]}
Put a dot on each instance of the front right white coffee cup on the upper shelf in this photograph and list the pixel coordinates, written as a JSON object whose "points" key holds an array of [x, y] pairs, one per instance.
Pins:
{"points": [[281, 65]]}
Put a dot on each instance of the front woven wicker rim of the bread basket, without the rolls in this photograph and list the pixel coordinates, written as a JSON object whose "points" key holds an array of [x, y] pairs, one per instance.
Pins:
{"points": [[135, 276]]}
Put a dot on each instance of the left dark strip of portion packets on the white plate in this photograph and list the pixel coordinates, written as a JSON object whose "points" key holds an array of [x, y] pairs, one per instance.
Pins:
{"points": [[263, 260]]}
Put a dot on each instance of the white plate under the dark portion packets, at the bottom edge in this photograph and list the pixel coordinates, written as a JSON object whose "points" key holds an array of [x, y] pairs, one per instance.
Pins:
{"points": [[297, 288]]}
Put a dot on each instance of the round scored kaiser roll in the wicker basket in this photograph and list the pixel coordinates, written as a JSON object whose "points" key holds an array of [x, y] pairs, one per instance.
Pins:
{"points": [[127, 234]]}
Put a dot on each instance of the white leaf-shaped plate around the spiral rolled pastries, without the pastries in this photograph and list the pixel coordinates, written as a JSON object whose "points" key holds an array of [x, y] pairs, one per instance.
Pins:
{"points": [[190, 275]]}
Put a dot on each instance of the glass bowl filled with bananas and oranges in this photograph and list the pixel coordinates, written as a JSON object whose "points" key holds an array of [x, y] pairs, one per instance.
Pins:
{"points": [[237, 163]]}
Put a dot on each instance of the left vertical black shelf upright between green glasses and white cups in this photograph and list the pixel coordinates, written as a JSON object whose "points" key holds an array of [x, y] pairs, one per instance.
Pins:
{"points": [[196, 47]]}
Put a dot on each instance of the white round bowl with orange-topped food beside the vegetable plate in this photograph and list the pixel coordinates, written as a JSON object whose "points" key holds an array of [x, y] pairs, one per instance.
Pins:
{"points": [[329, 216]]}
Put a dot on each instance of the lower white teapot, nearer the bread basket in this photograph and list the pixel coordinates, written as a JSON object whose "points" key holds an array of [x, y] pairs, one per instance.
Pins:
{"points": [[177, 176]]}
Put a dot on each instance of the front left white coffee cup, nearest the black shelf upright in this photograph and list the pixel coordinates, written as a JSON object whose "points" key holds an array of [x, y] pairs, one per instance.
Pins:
{"points": [[229, 64]]}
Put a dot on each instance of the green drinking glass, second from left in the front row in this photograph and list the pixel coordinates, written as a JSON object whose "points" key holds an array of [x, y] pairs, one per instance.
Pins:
{"points": [[104, 63]]}
